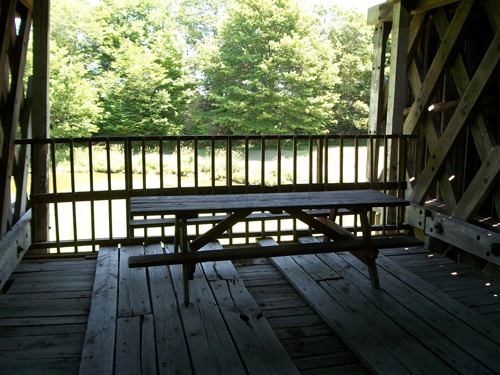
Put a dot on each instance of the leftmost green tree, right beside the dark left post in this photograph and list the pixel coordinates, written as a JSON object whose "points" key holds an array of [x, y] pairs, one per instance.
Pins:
{"points": [[74, 100]]}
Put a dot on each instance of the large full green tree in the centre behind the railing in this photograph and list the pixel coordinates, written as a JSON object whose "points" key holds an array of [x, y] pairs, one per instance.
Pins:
{"points": [[272, 72]]}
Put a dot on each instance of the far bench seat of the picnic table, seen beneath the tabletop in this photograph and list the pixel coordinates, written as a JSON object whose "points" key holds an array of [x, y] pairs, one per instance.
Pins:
{"points": [[170, 222]]}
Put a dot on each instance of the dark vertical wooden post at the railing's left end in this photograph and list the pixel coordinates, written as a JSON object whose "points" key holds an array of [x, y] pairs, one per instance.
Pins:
{"points": [[40, 118]]}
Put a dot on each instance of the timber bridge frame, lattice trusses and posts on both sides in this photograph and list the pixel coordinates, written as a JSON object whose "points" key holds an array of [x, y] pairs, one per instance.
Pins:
{"points": [[442, 84]]}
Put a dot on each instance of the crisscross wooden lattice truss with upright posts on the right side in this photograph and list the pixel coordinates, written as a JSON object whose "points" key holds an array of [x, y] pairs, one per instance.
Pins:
{"points": [[449, 51]]}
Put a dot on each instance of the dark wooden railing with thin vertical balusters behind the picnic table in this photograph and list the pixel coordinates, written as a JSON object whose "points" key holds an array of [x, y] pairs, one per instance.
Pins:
{"points": [[92, 179]]}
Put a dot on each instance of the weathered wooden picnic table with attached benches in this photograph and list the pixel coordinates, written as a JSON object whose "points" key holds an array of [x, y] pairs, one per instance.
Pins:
{"points": [[300, 205]]}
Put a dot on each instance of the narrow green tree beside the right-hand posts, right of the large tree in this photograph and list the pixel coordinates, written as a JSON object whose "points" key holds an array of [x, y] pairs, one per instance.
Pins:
{"points": [[351, 40]]}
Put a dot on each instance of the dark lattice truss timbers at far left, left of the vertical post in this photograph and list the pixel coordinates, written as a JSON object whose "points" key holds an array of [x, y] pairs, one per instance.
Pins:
{"points": [[15, 109]]}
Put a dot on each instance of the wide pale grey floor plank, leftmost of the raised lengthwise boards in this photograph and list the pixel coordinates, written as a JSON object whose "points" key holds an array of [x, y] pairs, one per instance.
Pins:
{"points": [[99, 346]]}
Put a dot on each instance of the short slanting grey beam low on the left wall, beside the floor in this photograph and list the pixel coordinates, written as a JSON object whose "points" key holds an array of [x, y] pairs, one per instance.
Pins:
{"points": [[13, 246]]}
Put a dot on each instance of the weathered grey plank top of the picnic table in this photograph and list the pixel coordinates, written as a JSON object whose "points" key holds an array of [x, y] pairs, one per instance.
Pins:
{"points": [[195, 204]]}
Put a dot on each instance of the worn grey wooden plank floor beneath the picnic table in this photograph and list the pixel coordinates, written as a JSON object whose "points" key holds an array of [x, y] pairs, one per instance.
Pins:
{"points": [[303, 314]]}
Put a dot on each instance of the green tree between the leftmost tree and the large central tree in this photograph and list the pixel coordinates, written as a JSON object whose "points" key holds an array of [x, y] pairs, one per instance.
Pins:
{"points": [[145, 80]]}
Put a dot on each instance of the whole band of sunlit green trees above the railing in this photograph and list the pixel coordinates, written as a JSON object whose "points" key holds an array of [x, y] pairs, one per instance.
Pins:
{"points": [[139, 67]]}
